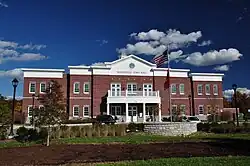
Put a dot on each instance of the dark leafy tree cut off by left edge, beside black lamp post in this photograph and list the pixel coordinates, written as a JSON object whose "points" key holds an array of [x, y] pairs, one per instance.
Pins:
{"points": [[5, 119]]}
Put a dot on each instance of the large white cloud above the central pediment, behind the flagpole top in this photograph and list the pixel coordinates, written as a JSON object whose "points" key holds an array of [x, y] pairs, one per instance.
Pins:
{"points": [[155, 42]]}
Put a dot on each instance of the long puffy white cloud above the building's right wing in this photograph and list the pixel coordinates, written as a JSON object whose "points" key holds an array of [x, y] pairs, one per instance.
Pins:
{"points": [[213, 57]]}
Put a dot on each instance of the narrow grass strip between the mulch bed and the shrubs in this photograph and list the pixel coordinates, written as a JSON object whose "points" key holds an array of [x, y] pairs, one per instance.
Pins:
{"points": [[133, 139]]}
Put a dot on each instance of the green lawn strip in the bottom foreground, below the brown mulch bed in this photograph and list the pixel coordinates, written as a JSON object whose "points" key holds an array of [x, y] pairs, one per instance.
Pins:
{"points": [[197, 161]]}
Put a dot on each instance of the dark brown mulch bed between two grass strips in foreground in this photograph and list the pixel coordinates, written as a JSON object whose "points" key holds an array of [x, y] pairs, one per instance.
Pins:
{"points": [[90, 153]]}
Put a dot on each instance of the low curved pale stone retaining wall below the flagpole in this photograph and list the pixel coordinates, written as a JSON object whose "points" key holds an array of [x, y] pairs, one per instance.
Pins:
{"points": [[171, 128]]}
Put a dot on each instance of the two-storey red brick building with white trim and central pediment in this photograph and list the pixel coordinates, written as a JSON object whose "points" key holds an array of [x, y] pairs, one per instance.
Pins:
{"points": [[129, 88]]}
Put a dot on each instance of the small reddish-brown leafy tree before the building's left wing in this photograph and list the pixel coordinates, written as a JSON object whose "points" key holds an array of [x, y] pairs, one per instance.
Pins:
{"points": [[53, 111]]}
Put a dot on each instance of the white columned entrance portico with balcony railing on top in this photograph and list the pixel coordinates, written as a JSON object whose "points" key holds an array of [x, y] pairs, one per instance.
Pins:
{"points": [[138, 107]]}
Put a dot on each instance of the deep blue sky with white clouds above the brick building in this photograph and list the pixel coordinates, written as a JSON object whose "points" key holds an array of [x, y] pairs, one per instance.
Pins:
{"points": [[206, 36]]}
